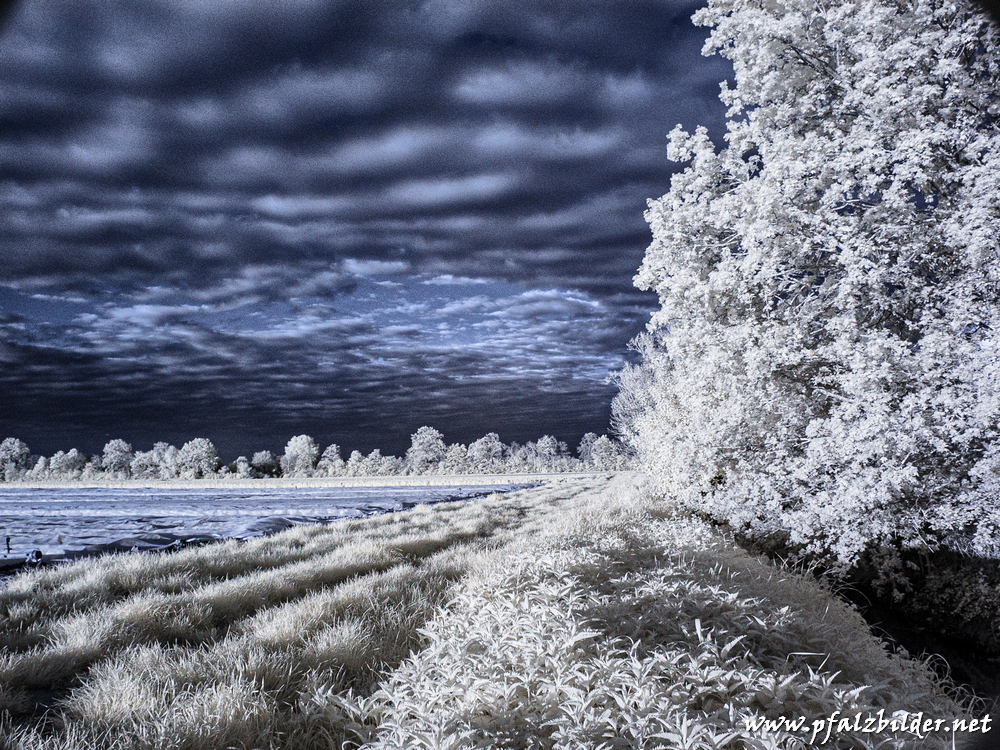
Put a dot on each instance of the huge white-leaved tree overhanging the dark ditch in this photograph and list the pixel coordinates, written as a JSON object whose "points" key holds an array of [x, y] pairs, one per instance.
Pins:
{"points": [[822, 365]]}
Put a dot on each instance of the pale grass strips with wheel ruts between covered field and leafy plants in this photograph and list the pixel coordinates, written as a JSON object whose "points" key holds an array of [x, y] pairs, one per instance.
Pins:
{"points": [[132, 650]]}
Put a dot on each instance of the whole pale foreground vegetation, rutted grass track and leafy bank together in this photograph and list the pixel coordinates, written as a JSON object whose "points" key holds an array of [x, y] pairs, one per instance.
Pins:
{"points": [[581, 614]]}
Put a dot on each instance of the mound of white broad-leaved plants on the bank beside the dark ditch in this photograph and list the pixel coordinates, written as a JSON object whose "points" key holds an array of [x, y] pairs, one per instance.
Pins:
{"points": [[628, 630]]}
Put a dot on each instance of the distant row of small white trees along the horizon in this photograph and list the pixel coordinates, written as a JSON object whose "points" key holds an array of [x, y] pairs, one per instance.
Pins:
{"points": [[428, 454]]}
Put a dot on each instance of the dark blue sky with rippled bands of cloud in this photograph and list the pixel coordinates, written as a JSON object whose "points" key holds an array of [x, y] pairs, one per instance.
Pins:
{"points": [[250, 220]]}
